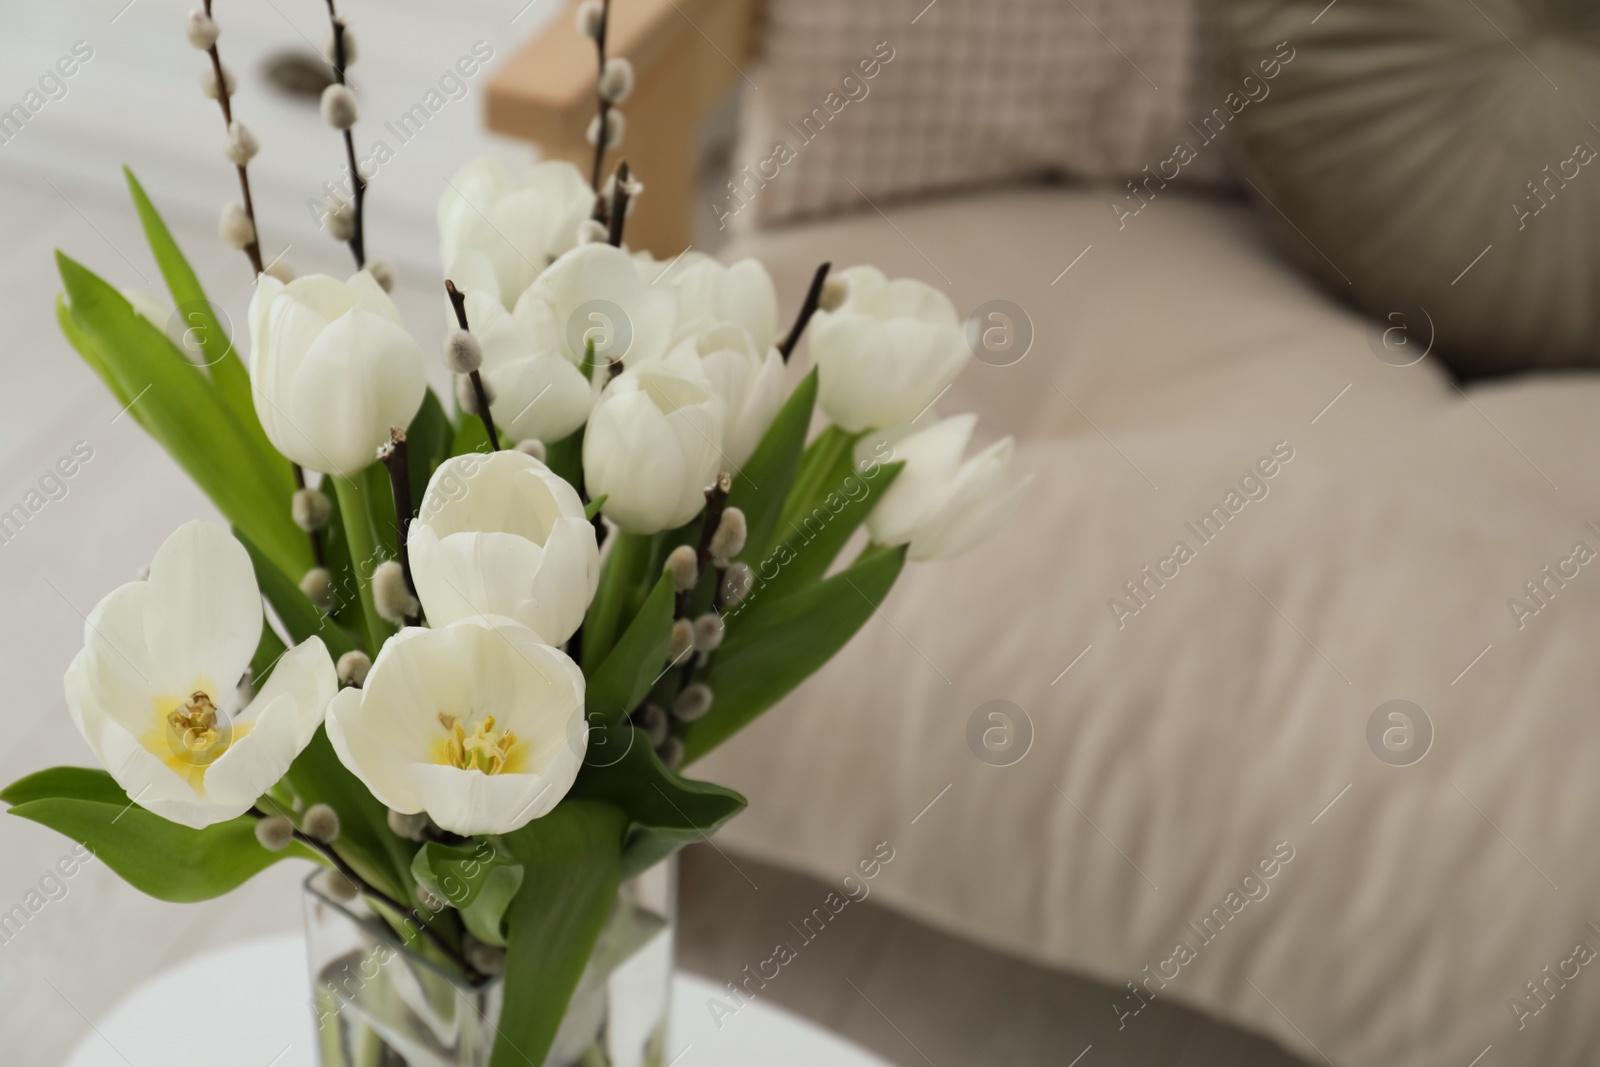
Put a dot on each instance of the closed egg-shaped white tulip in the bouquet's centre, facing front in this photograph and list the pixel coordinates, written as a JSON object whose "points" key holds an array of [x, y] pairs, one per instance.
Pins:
{"points": [[655, 444]]}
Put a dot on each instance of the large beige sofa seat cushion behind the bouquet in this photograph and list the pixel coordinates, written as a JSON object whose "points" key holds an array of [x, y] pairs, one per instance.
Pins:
{"points": [[1222, 722]]}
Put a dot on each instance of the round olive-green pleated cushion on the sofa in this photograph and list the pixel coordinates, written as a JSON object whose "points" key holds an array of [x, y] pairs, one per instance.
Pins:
{"points": [[1441, 156]]}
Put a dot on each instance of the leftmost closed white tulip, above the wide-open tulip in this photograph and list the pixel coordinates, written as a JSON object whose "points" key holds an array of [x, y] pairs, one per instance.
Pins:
{"points": [[332, 370]]}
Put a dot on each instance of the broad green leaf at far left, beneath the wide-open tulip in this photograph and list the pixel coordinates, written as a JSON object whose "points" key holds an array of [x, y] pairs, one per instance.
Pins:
{"points": [[159, 858]]}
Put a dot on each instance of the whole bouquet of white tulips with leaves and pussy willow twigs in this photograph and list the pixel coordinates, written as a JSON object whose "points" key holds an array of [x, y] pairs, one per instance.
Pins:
{"points": [[489, 642]]}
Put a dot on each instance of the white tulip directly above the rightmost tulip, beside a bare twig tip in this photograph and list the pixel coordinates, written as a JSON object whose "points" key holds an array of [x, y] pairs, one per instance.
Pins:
{"points": [[887, 353]]}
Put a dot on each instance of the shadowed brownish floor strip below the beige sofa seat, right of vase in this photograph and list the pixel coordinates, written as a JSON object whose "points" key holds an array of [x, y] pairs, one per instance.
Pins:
{"points": [[919, 997]]}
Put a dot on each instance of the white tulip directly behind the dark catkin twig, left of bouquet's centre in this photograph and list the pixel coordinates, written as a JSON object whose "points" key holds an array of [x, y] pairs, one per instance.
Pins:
{"points": [[540, 393]]}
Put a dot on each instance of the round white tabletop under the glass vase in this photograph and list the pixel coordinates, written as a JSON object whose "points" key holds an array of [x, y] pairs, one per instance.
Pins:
{"points": [[247, 1007]]}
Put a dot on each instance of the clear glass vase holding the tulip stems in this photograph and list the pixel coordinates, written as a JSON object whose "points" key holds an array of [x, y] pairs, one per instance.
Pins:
{"points": [[378, 1004]]}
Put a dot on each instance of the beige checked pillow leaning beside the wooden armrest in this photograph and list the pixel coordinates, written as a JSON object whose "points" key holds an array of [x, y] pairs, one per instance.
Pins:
{"points": [[879, 100]]}
